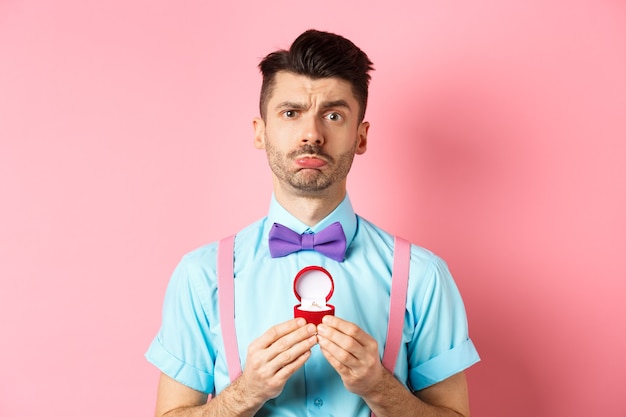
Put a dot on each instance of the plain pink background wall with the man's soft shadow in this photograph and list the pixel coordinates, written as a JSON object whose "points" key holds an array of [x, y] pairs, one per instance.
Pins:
{"points": [[497, 140]]}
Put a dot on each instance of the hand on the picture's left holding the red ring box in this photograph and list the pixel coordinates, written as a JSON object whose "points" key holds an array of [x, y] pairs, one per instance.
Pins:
{"points": [[274, 357]]}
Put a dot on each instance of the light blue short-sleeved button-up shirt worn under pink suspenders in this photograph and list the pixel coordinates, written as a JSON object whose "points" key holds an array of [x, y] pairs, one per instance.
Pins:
{"points": [[189, 345]]}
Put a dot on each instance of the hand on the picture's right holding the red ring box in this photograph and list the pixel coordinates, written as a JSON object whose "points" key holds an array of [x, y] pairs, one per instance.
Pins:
{"points": [[352, 352]]}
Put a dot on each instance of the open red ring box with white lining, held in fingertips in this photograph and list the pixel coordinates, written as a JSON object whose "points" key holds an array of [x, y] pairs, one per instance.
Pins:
{"points": [[313, 287]]}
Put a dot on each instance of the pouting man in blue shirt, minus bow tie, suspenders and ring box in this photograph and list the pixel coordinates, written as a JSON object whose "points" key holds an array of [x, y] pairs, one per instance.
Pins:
{"points": [[312, 106]]}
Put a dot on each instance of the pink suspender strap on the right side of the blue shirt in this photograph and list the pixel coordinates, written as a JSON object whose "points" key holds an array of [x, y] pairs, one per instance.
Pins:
{"points": [[399, 284]]}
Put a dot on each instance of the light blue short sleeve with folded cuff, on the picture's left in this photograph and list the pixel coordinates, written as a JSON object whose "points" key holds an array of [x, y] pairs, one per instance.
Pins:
{"points": [[182, 348]]}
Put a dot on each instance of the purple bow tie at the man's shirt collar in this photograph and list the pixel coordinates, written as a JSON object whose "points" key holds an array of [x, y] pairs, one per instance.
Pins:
{"points": [[330, 242]]}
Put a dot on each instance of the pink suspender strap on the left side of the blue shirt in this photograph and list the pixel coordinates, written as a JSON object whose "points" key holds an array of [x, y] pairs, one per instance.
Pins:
{"points": [[226, 301]]}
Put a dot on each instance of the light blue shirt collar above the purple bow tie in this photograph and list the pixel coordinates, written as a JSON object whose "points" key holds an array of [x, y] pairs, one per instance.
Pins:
{"points": [[344, 214]]}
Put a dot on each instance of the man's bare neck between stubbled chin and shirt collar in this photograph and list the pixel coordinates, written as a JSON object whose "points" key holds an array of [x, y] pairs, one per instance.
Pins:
{"points": [[310, 208]]}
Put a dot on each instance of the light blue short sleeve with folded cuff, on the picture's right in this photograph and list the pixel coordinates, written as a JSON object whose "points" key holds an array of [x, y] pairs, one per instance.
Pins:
{"points": [[440, 346]]}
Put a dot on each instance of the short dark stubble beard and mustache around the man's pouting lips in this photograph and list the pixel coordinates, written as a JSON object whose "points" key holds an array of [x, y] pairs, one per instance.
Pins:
{"points": [[309, 180]]}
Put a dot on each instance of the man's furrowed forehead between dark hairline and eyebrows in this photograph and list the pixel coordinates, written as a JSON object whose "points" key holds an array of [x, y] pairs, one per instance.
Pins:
{"points": [[291, 87]]}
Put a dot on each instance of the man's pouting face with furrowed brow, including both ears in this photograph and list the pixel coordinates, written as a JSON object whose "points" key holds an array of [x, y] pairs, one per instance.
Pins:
{"points": [[311, 133]]}
